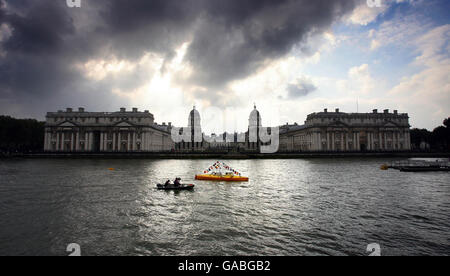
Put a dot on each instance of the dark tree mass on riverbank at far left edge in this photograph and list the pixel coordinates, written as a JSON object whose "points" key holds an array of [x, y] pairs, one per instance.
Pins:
{"points": [[21, 135]]}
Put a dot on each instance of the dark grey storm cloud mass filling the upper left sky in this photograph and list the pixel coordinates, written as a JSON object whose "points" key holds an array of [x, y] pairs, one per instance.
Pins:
{"points": [[230, 40]]}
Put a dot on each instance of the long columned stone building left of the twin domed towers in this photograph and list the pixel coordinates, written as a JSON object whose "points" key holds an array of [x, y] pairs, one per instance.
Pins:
{"points": [[122, 131]]}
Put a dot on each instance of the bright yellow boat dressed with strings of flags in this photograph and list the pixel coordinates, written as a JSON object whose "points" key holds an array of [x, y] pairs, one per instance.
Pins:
{"points": [[215, 173]]}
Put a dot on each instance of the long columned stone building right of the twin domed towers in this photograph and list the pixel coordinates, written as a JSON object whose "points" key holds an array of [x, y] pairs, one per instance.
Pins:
{"points": [[348, 132]]}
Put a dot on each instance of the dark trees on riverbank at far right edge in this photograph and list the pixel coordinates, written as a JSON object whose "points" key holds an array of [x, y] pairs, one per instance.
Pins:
{"points": [[438, 139]]}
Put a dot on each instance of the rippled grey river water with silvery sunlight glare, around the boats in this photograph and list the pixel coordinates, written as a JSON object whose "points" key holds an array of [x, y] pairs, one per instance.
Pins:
{"points": [[289, 207]]}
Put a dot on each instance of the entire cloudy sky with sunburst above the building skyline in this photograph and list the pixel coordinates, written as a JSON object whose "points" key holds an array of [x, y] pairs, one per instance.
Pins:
{"points": [[290, 57]]}
